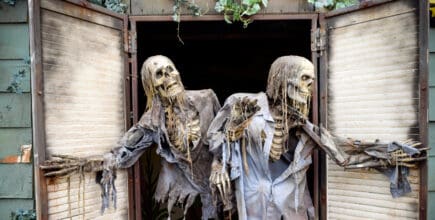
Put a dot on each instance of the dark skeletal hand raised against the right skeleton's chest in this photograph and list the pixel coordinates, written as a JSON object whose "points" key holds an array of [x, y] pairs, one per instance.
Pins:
{"points": [[241, 115]]}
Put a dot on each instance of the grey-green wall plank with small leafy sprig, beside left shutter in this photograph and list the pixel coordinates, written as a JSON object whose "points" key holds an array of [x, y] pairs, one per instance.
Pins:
{"points": [[14, 71]]}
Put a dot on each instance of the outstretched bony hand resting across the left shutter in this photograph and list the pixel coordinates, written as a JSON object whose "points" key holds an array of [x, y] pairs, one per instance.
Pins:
{"points": [[67, 165]]}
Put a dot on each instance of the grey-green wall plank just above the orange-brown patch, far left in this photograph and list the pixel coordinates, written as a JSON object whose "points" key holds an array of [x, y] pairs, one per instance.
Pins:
{"points": [[11, 140]]}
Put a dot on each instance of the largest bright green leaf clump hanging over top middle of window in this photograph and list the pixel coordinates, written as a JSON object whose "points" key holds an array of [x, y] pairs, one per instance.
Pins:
{"points": [[234, 11]]}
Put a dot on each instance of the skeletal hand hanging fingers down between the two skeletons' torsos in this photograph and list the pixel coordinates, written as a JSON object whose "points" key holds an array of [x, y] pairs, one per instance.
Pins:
{"points": [[220, 180]]}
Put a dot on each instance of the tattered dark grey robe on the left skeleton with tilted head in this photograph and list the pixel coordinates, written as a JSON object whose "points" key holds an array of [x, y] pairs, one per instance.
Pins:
{"points": [[179, 181]]}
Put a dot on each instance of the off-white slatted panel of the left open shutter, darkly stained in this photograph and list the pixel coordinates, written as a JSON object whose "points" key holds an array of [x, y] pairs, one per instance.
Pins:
{"points": [[83, 68]]}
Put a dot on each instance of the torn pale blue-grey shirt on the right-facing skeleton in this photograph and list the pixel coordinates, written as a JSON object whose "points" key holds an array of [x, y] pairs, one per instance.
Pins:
{"points": [[258, 194]]}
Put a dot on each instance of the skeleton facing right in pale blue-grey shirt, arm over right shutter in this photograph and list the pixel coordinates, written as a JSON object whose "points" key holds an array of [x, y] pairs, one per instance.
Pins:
{"points": [[263, 142]]}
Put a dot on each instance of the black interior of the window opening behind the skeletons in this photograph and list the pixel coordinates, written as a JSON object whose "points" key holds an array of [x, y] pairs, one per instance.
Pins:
{"points": [[224, 57]]}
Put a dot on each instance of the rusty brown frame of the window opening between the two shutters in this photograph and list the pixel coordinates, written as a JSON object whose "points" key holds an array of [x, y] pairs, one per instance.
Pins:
{"points": [[135, 19]]}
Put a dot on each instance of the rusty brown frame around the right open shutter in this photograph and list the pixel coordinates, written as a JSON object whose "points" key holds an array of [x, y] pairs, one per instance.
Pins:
{"points": [[423, 23]]}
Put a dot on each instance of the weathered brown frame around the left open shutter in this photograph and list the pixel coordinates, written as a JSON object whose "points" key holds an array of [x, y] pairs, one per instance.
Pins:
{"points": [[37, 90]]}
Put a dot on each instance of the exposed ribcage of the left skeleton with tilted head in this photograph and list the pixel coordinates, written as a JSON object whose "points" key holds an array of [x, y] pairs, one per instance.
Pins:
{"points": [[183, 129]]}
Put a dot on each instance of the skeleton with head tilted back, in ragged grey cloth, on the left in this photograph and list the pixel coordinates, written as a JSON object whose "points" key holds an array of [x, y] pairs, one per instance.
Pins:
{"points": [[176, 120]]}
